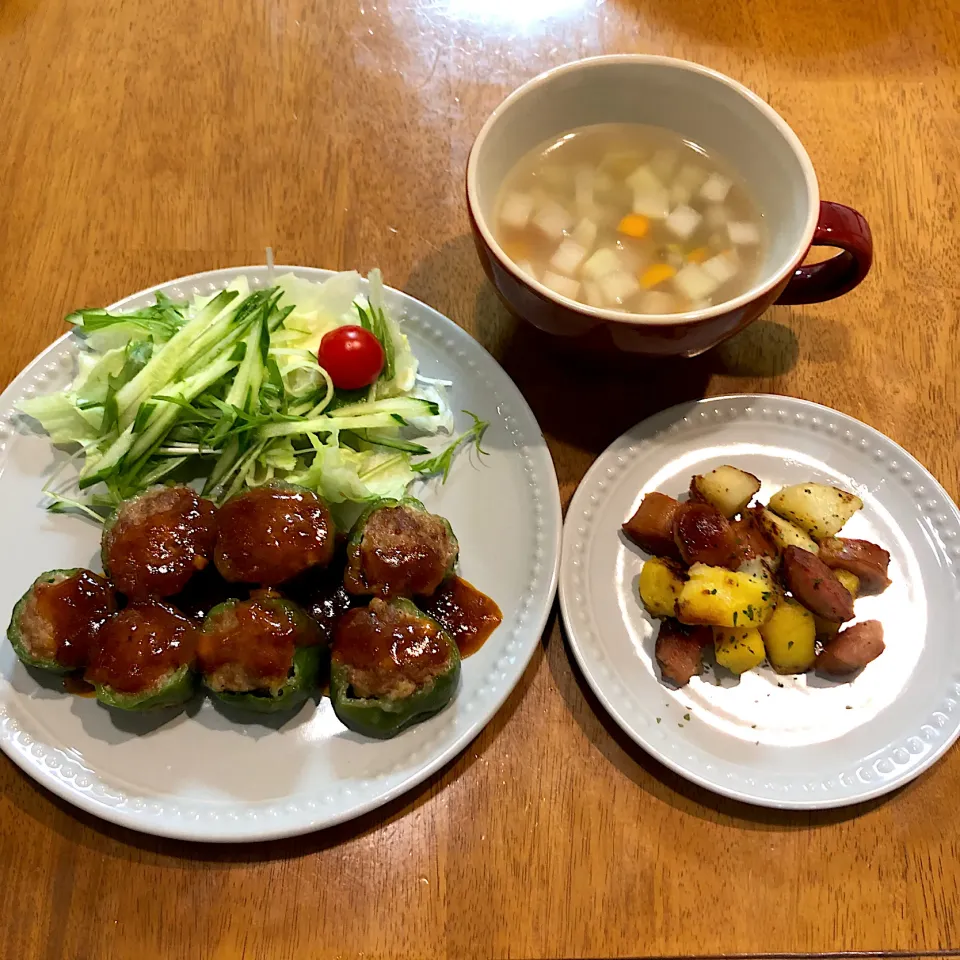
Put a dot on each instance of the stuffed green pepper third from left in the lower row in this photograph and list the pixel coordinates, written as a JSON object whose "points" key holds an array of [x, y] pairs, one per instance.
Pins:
{"points": [[262, 654]]}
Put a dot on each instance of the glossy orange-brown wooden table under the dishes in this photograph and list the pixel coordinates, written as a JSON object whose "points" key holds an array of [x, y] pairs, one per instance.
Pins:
{"points": [[146, 139]]}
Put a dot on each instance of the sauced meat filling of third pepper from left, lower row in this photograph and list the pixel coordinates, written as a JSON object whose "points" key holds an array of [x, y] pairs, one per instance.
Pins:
{"points": [[250, 645]]}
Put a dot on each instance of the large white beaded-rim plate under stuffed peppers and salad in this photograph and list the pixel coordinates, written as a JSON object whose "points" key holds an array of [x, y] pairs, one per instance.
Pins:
{"points": [[200, 776]]}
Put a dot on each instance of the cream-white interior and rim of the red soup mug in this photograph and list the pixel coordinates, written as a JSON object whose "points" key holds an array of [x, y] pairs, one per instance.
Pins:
{"points": [[704, 106]]}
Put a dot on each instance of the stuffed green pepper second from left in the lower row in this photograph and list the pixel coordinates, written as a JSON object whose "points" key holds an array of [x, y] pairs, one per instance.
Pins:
{"points": [[143, 658]]}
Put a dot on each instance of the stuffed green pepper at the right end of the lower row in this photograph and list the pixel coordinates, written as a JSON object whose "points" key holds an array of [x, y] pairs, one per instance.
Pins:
{"points": [[391, 666]]}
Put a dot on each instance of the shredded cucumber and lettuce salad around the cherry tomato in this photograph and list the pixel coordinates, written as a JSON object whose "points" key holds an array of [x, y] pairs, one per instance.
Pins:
{"points": [[227, 388]]}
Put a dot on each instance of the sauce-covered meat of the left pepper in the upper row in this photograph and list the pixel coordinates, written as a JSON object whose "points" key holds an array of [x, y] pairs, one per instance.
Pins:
{"points": [[159, 541]]}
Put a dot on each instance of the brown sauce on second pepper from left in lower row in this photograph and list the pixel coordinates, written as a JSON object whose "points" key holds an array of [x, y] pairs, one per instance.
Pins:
{"points": [[139, 646]]}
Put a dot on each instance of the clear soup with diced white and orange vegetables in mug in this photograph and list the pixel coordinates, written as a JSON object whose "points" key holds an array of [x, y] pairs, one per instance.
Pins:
{"points": [[631, 217]]}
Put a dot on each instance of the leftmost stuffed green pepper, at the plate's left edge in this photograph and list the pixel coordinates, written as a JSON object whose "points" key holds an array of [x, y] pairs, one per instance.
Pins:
{"points": [[55, 621]]}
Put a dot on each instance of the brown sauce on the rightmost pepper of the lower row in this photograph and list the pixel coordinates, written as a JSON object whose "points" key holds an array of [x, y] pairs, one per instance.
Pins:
{"points": [[380, 637]]}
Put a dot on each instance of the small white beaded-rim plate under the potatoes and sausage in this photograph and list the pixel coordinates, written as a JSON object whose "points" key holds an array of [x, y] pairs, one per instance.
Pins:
{"points": [[792, 742]]}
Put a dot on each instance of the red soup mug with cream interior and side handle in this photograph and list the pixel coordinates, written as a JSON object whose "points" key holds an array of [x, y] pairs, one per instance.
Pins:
{"points": [[711, 110]]}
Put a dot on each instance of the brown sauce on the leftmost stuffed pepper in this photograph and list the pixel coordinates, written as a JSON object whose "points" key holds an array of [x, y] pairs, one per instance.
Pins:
{"points": [[74, 609]]}
